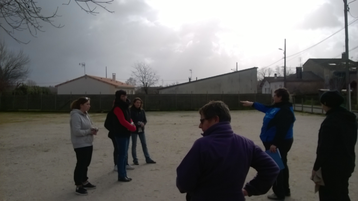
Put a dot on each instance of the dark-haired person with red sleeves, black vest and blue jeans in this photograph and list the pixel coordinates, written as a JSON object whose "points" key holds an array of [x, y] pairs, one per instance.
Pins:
{"points": [[123, 126]]}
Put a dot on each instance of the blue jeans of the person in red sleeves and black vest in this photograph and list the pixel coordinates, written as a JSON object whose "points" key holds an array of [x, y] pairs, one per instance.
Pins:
{"points": [[122, 148]]}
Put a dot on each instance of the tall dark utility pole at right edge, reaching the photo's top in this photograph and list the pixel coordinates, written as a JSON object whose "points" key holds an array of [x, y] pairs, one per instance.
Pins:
{"points": [[346, 56]]}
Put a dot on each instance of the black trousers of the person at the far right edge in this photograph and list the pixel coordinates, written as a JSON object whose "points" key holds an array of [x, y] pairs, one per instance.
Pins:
{"points": [[335, 188]]}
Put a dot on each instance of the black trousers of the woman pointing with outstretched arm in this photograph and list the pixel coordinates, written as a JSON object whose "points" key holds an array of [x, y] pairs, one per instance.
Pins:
{"points": [[282, 187]]}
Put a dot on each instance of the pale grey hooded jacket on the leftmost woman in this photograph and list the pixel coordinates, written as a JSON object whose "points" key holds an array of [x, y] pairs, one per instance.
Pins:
{"points": [[80, 125]]}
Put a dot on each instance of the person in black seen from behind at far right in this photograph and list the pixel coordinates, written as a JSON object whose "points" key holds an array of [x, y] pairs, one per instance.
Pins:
{"points": [[335, 151]]}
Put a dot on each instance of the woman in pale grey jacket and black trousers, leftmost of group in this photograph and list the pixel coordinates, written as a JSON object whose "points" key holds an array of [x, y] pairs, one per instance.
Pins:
{"points": [[82, 132]]}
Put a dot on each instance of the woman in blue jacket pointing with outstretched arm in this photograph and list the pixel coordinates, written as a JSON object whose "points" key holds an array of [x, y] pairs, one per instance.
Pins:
{"points": [[277, 133]]}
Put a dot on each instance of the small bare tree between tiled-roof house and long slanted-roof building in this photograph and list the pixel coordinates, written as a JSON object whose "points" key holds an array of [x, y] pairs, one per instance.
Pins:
{"points": [[145, 75]]}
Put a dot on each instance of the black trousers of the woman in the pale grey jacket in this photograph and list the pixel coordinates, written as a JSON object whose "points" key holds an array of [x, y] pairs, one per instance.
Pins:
{"points": [[84, 156]]}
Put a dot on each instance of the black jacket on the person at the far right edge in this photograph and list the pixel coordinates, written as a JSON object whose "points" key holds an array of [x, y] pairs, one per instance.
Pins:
{"points": [[336, 141]]}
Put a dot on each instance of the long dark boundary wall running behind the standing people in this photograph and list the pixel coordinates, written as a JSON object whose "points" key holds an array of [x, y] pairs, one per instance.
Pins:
{"points": [[101, 103]]}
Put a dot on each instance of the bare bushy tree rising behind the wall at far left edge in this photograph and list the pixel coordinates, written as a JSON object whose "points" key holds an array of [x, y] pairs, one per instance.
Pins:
{"points": [[12, 67]]}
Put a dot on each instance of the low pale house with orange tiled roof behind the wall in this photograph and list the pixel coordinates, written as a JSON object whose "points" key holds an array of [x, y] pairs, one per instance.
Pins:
{"points": [[89, 84]]}
